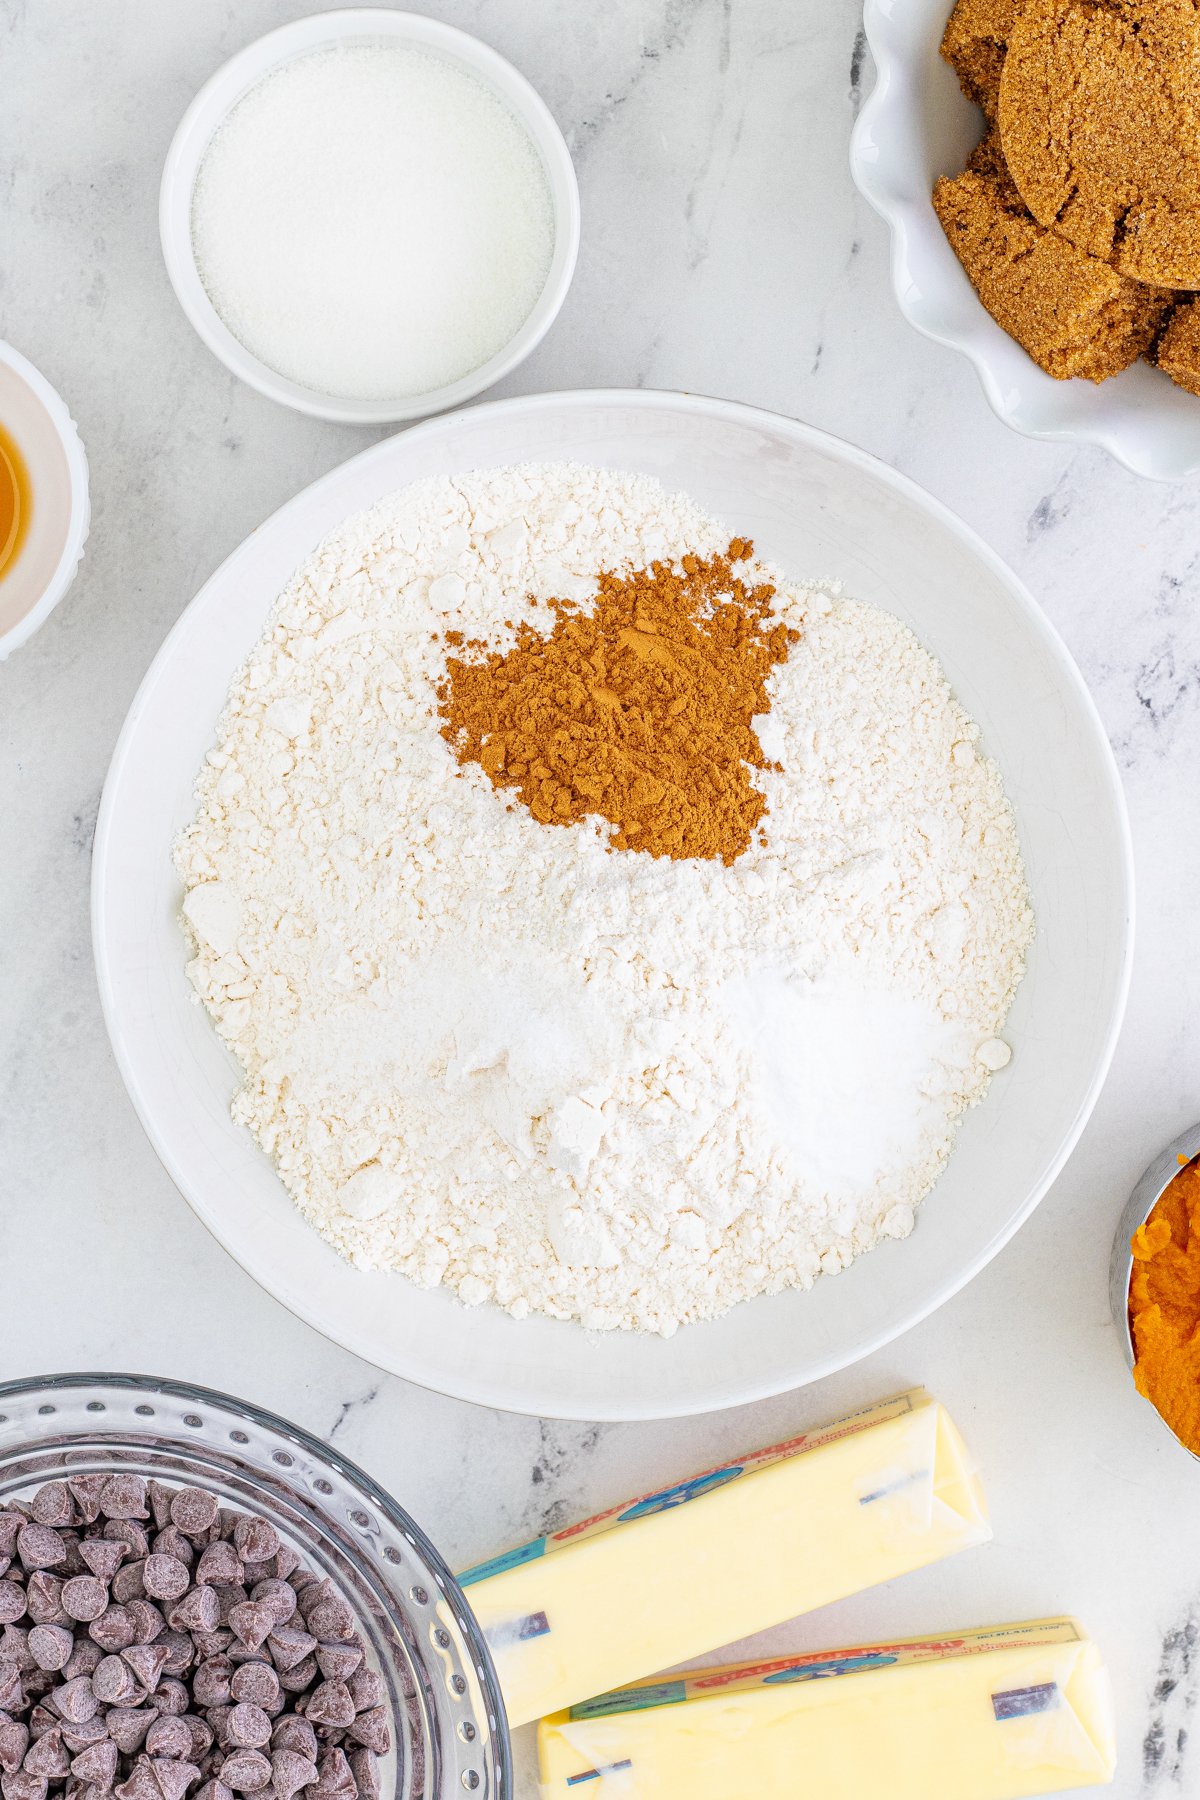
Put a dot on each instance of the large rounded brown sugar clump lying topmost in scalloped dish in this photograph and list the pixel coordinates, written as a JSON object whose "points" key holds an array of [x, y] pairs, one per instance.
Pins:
{"points": [[1100, 120]]}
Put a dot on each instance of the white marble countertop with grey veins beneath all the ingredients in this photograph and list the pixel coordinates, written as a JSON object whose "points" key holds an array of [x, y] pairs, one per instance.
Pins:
{"points": [[724, 251]]}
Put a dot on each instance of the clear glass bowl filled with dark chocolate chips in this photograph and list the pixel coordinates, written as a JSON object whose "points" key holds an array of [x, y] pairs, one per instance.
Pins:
{"points": [[202, 1603]]}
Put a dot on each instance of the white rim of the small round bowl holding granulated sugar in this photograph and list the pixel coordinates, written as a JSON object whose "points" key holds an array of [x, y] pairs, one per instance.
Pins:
{"points": [[247, 67]]}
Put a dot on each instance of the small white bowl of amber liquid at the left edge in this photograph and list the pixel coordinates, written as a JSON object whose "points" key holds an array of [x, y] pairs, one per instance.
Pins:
{"points": [[44, 499]]}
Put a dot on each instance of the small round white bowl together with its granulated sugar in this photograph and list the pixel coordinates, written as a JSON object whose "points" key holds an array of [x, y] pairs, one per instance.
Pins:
{"points": [[370, 215]]}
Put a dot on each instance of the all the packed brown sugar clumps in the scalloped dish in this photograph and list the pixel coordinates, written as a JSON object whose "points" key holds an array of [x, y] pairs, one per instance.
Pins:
{"points": [[1095, 111]]}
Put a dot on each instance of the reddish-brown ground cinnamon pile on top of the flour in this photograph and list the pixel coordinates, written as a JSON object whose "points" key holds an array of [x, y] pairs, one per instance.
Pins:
{"points": [[636, 708]]}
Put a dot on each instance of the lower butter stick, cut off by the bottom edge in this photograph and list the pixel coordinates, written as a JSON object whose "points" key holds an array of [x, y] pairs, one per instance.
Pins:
{"points": [[983, 1716]]}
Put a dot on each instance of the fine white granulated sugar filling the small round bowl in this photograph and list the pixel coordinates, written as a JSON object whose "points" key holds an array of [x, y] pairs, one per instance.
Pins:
{"points": [[373, 222]]}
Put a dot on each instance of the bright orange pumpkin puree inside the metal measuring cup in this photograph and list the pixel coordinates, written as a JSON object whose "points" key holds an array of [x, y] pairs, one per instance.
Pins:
{"points": [[1165, 1306]]}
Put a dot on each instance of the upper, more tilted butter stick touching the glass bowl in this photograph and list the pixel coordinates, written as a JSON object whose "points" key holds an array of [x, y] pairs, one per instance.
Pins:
{"points": [[667, 1578]]}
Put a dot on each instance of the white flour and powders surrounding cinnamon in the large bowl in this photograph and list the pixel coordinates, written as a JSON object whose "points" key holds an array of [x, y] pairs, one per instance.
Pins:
{"points": [[596, 1084]]}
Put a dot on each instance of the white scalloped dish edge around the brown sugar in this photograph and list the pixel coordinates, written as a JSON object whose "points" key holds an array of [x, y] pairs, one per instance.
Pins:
{"points": [[891, 96]]}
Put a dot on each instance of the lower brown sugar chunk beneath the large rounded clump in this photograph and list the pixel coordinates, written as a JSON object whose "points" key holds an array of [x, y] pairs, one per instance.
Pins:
{"points": [[1071, 312]]}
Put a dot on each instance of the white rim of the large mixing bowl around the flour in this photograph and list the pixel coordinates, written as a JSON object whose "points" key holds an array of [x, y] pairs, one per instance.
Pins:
{"points": [[483, 1390]]}
